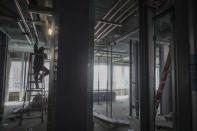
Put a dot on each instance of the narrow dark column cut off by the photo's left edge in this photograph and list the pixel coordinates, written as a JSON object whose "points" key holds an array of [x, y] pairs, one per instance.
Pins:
{"points": [[3, 60]]}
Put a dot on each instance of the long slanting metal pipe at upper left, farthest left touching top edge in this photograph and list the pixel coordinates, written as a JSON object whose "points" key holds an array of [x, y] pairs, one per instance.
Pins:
{"points": [[23, 19]]}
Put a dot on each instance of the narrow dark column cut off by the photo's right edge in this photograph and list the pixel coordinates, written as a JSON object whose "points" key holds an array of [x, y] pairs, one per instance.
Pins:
{"points": [[193, 58]]}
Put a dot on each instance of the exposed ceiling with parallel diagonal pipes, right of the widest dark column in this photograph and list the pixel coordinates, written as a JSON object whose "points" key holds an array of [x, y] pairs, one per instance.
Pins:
{"points": [[117, 24]]}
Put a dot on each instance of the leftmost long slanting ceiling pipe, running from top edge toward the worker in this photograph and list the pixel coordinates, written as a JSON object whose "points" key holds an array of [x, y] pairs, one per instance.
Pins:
{"points": [[24, 22]]}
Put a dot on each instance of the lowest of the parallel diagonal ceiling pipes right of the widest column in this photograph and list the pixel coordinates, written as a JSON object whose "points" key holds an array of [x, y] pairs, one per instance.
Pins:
{"points": [[116, 20]]}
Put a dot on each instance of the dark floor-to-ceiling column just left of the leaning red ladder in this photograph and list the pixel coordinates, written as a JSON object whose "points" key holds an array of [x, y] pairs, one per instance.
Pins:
{"points": [[147, 83]]}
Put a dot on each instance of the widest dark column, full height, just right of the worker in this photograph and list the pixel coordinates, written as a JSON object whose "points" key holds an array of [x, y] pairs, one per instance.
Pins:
{"points": [[74, 86]]}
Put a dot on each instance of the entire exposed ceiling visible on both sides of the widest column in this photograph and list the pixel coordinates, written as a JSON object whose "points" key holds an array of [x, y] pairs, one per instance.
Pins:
{"points": [[116, 22]]}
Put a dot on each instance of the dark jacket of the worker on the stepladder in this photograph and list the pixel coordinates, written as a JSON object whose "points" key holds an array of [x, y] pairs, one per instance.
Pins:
{"points": [[39, 59]]}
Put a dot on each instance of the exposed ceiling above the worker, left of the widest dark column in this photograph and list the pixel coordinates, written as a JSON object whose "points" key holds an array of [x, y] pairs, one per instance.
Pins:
{"points": [[22, 26]]}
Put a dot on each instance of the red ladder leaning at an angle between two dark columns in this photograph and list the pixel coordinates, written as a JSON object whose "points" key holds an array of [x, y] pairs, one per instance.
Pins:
{"points": [[162, 82]]}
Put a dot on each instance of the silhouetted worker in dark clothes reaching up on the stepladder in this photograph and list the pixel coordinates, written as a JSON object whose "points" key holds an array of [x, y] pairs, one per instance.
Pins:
{"points": [[39, 64]]}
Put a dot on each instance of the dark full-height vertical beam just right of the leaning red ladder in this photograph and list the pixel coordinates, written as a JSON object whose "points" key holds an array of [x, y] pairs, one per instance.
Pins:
{"points": [[180, 69]]}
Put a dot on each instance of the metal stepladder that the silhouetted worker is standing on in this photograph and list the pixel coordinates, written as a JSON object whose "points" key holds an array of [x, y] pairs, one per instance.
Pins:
{"points": [[31, 93]]}
